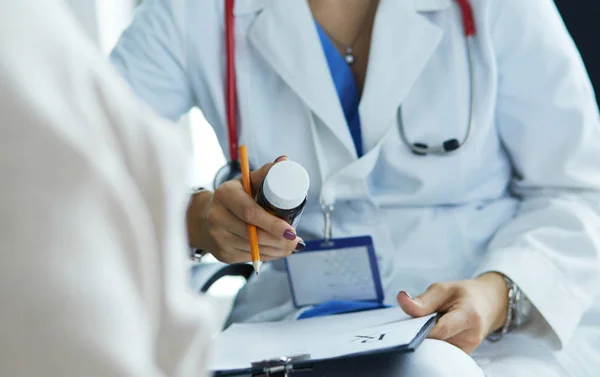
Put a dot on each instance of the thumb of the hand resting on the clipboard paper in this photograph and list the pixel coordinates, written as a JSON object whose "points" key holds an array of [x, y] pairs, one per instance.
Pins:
{"points": [[435, 299]]}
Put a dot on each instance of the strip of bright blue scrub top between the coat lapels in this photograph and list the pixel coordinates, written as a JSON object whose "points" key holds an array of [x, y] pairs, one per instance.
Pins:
{"points": [[346, 87]]}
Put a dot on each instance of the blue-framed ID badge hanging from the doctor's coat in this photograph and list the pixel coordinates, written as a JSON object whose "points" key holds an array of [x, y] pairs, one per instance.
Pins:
{"points": [[342, 269]]}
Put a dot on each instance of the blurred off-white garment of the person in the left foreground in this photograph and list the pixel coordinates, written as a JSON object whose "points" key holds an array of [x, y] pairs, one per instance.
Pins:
{"points": [[92, 199]]}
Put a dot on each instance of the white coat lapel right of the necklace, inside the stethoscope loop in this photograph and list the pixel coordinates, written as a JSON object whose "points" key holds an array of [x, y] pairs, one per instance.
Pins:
{"points": [[403, 42]]}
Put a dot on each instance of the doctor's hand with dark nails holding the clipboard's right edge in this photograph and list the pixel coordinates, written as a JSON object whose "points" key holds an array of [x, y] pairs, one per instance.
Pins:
{"points": [[473, 309]]}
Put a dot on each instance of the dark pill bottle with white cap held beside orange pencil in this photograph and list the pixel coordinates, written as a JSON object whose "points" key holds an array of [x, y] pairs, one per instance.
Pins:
{"points": [[283, 191]]}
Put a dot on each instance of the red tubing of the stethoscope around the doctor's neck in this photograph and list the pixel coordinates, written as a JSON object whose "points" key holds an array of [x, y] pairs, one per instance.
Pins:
{"points": [[230, 74]]}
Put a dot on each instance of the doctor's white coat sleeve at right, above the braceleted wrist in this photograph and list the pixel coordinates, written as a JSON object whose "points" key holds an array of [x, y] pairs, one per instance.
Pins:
{"points": [[549, 124]]}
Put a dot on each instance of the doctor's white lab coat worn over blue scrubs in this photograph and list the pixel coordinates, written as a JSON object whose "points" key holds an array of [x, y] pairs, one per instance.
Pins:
{"points": [[522, 197]]}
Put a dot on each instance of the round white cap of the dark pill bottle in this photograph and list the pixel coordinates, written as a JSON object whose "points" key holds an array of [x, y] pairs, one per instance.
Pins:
{"points": [[286, 185]]}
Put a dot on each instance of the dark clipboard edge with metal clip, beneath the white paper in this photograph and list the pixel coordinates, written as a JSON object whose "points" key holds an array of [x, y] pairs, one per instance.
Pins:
{"points": [[298, 364]]}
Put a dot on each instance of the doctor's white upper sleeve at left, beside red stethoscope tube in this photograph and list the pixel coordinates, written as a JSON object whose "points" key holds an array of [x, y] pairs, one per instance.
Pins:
{"points": [[152, 57]]}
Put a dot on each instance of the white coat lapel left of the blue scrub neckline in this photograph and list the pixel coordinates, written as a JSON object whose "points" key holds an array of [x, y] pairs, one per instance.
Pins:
{"points": [[285, 35]]}
